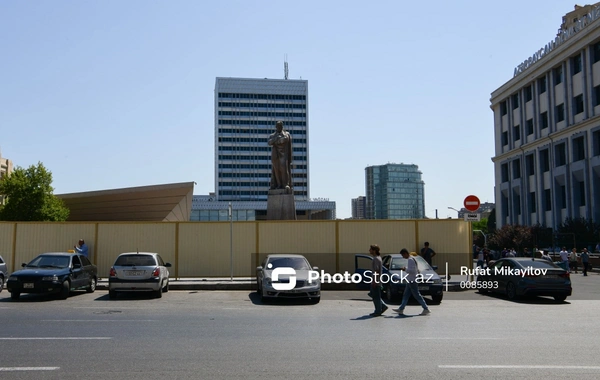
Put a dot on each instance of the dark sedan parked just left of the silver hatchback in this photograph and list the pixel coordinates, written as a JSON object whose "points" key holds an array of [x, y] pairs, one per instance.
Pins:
{"points": [[56, 272]]}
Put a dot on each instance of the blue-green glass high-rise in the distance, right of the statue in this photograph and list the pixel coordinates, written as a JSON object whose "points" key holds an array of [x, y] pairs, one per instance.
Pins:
{"points": [[395, 191]]}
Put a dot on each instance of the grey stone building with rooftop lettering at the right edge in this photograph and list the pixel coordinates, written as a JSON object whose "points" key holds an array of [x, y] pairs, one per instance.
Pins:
{"points": [[547, 129]]}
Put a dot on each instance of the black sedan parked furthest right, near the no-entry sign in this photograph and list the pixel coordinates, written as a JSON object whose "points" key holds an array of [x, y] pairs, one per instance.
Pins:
{"points": [[525, 276]]}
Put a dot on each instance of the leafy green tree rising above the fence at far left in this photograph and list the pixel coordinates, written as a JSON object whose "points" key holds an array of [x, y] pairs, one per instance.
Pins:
{"points": [[30, 196]]}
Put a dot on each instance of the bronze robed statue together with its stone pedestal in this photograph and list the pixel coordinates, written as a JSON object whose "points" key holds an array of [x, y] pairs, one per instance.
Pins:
{"points": [[280, 201]]}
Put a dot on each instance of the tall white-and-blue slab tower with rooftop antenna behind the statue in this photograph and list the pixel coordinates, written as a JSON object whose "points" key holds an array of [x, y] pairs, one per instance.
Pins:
{"points": [[246, 111]]}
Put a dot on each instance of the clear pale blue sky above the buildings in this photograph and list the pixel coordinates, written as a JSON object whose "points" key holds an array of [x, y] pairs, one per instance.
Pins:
{"points": [[111, 94]]}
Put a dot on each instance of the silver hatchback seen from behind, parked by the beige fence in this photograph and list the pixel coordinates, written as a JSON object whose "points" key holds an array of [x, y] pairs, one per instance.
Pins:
{"points": [[139, 272]]}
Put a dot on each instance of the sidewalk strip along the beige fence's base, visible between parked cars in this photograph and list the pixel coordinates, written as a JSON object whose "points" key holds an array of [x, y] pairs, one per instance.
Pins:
{"points": [[247, 283]]}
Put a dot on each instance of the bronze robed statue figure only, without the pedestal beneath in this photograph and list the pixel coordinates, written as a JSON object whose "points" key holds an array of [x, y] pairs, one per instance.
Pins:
{"points": [[281, 158]]}
